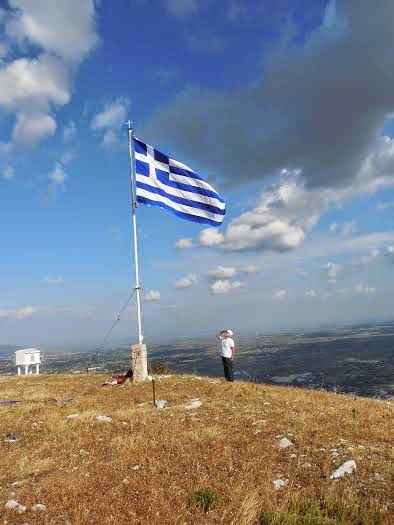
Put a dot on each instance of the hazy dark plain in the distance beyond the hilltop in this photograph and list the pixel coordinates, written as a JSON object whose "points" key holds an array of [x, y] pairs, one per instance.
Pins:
{"points": [[349, 360]]}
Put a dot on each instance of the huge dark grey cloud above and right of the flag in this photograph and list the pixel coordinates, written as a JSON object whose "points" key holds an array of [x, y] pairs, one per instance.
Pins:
{"points": [[323, 119]]}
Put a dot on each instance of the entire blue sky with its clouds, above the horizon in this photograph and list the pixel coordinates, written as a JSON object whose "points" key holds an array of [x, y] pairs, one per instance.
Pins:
{"points": [[285, 111]]}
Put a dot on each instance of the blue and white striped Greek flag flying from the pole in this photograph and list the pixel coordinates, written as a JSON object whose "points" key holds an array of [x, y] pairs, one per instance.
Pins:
{"points": [[165, 182]]}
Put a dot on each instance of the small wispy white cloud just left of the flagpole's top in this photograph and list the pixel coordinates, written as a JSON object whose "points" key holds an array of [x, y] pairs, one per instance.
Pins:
{"points": [[109, 121]]}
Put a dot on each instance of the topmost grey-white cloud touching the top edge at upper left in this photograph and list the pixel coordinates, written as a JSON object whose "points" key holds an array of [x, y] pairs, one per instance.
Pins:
{"points": [[65, 27]]}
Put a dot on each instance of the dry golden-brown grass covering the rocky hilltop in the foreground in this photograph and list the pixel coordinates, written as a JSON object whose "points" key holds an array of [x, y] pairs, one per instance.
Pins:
{"points": [[86, 472]]}
